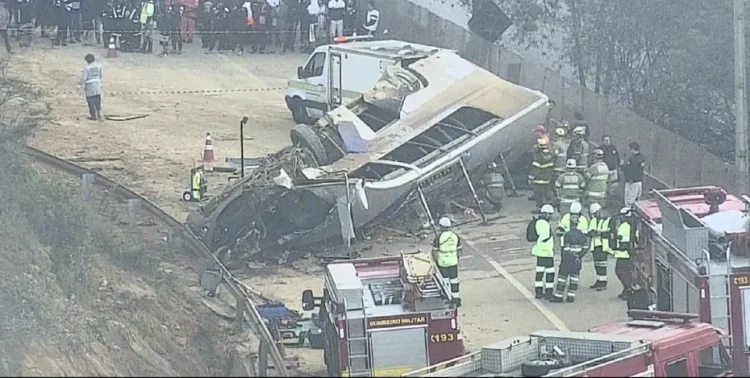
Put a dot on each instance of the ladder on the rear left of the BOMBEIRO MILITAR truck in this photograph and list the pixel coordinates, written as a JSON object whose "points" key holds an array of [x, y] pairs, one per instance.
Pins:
{"points": [[356, 341]]}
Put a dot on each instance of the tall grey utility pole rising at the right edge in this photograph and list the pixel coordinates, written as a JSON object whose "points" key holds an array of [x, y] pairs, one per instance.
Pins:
{"points": [[740, 153]]}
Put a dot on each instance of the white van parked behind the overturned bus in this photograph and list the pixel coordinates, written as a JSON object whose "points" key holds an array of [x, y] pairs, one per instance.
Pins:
{"points": [[336, 74]]}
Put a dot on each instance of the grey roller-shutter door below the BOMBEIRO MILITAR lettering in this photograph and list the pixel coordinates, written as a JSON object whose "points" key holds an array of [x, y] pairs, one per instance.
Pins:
{"points": [[398, 351]]}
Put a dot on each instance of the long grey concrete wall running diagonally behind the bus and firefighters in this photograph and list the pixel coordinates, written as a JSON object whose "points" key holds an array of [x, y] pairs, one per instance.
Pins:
{"points": [[672, 160]]}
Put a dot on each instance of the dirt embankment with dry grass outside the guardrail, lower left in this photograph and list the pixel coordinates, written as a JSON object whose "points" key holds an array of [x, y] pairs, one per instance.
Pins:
{"points": [[80, 295]]}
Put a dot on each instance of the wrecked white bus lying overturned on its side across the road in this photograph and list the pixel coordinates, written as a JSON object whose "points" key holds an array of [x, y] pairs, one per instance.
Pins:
{"points": [[421, 131]]}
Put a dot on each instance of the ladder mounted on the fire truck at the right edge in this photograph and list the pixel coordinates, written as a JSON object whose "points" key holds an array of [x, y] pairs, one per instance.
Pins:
{"points": [[718, 283]]}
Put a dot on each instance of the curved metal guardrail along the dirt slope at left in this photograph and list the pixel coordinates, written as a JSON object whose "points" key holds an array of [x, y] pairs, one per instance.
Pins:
{"points": [[244, 302]]}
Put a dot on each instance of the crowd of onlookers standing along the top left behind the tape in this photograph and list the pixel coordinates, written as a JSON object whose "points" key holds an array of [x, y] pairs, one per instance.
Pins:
{"points": [[226, 26]]}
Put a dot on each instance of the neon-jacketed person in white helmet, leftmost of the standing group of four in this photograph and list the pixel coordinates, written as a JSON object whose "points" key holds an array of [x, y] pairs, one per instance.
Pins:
{"points": [[544, 251]]}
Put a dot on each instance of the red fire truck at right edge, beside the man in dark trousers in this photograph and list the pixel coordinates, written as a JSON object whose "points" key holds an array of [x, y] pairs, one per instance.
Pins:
{"points": [[693, 255]]}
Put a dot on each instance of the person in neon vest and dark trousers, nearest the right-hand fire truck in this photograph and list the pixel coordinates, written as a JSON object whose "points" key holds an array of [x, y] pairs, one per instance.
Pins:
{"points": [[622, 242]]}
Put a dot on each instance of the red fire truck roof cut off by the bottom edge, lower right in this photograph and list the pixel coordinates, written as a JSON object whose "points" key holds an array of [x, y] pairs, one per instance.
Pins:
{"points": [[653, 344]]}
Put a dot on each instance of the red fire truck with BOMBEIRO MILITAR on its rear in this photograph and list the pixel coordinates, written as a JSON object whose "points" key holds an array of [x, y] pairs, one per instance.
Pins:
{"points": [[385, 316]]}
